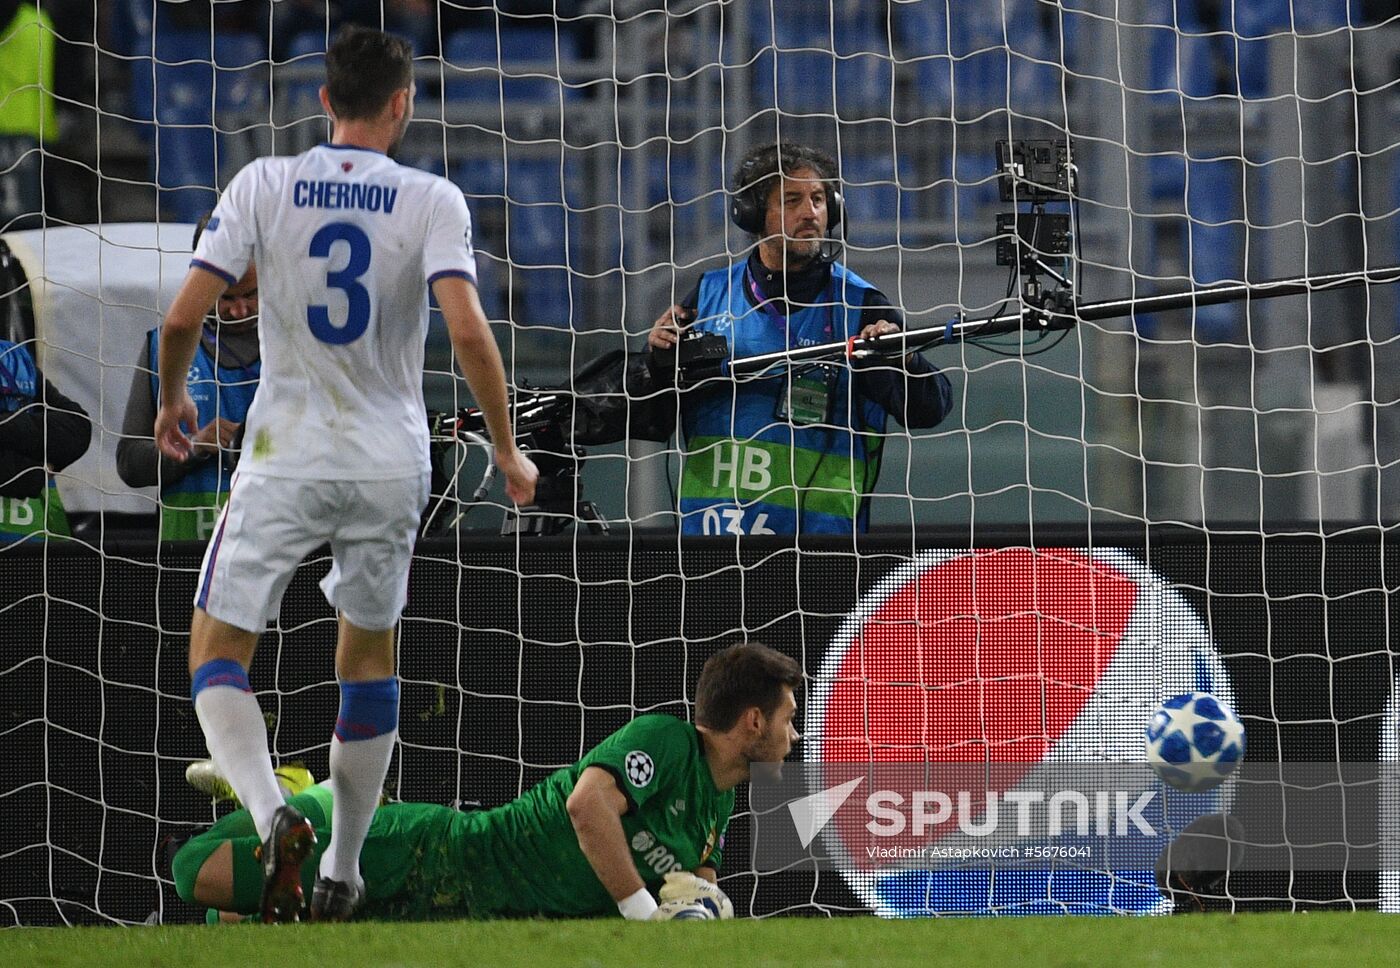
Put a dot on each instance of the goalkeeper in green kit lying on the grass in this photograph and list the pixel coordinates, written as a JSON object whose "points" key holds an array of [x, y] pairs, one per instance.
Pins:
{"points": [[653, 799]]}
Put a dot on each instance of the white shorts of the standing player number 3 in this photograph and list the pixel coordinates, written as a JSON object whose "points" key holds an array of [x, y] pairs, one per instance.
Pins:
{"points": [[271, 525]]}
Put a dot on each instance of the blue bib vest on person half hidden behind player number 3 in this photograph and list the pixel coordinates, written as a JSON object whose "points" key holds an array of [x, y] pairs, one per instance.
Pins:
{"points": [[190, 506]]}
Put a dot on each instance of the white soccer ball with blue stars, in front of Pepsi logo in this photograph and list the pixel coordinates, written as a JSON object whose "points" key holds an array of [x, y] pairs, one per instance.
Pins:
{"points": [[1195, 742]]}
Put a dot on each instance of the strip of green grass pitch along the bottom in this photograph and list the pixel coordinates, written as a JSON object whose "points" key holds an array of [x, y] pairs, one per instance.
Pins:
{"points": [[1216, 942]]}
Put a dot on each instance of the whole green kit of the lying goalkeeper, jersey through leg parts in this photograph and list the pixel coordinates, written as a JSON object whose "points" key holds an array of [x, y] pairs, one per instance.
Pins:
{"points": [[423, 861]]}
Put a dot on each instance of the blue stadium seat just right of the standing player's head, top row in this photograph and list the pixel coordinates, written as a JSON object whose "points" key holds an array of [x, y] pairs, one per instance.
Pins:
{"points": [[528, 61]]}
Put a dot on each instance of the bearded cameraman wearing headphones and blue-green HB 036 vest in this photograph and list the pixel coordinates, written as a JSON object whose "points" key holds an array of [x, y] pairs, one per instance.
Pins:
{"points": [[800, 453]]}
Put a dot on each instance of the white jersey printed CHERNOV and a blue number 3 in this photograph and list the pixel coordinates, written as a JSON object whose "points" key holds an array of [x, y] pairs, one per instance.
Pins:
{"points": [[346, 243]]}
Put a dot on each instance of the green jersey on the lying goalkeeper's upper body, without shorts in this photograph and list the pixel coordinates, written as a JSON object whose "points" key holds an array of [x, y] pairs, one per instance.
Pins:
{"points": [[524, 858]]}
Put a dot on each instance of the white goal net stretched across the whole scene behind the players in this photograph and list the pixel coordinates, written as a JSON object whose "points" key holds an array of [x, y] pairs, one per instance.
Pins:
{"points": [[1114, 511]]}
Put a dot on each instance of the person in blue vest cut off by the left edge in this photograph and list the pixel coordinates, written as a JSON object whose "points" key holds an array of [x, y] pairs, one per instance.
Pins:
{"points": [[41, 432]]}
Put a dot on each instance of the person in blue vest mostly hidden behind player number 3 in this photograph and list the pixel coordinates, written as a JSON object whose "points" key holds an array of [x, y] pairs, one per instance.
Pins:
{"points": [[222, 383]]}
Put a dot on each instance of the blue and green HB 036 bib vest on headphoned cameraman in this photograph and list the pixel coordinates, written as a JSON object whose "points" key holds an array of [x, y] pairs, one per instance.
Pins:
{"points": [[747, 471]]}
